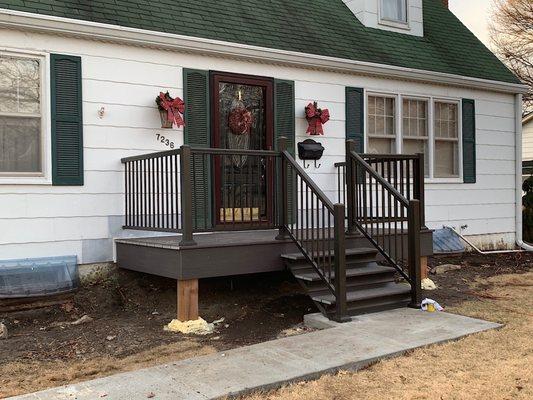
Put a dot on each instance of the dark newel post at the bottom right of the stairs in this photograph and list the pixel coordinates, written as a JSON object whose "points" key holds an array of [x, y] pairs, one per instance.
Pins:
{"points": [[413, 230]]}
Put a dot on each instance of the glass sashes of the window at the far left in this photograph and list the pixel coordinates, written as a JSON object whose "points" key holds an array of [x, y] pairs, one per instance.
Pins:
{"points": [[20, 116]]}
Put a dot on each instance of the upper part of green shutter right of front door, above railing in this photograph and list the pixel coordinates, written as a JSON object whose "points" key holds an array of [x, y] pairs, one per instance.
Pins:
{"points": [[284, 113]]}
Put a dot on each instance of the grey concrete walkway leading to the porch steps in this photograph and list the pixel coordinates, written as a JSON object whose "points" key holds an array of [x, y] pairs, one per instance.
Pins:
{"points": [[352, 345]]}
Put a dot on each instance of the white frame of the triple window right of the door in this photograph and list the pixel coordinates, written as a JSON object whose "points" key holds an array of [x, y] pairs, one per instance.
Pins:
{"points": [[399, 97]]}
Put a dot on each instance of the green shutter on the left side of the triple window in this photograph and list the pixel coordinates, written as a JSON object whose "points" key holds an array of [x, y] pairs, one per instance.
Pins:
{"points": [[355, 117]]}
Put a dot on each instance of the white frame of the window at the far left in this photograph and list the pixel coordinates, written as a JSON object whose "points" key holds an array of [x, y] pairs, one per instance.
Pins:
{"points": [[43, 177]]}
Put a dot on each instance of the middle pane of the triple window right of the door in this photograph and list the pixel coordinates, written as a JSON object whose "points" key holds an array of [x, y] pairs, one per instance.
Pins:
{"points": [[415, 129]]}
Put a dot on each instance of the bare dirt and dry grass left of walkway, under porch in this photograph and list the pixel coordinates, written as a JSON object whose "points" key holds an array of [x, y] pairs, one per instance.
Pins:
{"points": [[127, 312]]}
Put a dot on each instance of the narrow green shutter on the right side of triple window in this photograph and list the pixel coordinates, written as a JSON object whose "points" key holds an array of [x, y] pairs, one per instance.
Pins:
{"points": [[469, 141]]}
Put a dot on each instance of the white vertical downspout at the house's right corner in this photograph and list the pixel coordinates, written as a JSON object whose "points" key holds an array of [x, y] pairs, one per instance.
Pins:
{"points": [[518, 173]]}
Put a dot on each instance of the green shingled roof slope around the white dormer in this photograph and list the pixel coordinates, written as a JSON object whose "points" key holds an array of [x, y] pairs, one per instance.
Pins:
{"points": [[320, 27]]}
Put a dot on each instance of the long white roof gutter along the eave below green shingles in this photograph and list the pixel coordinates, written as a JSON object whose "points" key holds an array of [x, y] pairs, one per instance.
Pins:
{"points": [[140, 37]]}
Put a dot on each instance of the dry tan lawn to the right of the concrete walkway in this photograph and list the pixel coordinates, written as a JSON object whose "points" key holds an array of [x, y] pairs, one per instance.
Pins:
{"points": [[493, 365]]}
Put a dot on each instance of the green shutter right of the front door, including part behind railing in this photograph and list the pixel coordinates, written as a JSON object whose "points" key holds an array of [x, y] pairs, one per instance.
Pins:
{"points": [[284, 125]]}
